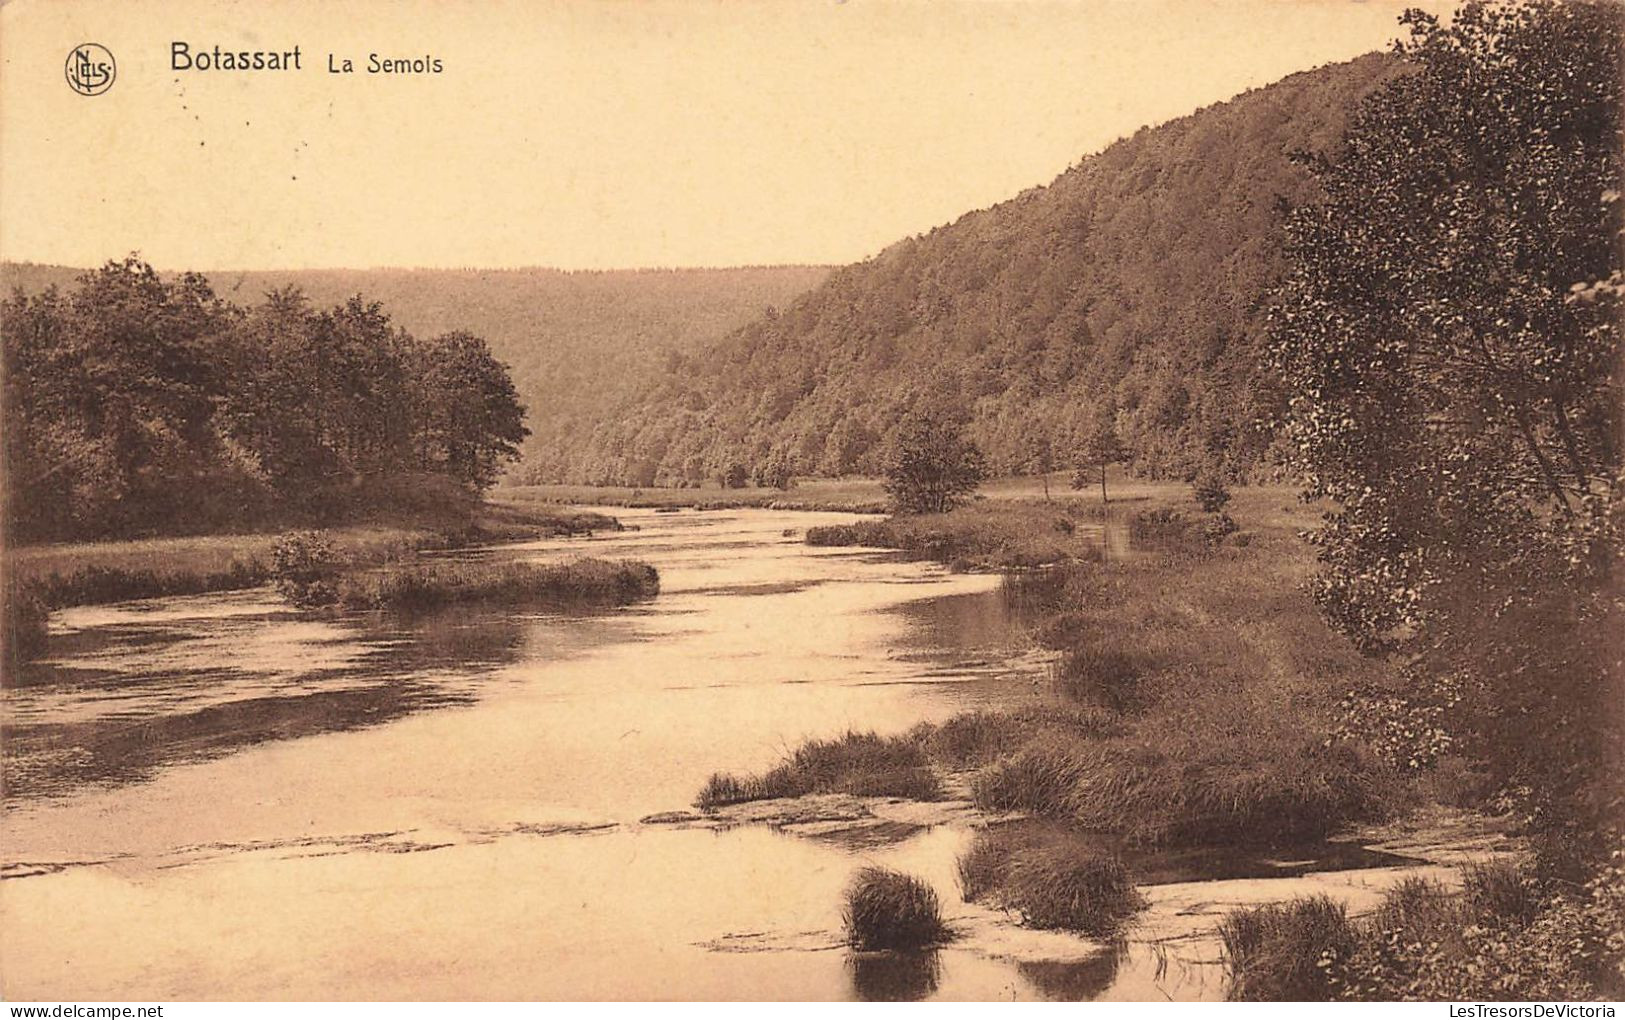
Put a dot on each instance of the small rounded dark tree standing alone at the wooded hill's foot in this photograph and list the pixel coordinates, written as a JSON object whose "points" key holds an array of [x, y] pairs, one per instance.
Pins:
{"points": [[932, 467]]}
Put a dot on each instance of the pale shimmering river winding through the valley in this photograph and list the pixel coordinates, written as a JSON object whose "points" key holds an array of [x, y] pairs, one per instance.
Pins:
{"points": [[219, 798]]}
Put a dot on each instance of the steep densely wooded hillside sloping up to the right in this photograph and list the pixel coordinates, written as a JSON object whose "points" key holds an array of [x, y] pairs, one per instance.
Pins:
{"points": [[1132, 283]]}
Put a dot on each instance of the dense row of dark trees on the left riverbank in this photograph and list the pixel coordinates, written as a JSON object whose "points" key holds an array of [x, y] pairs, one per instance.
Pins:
{"points": [[144, 405]]}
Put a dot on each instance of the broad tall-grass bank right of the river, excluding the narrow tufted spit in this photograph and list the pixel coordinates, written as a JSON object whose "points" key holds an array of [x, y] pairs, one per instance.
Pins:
{"points": [[1202, 686]]}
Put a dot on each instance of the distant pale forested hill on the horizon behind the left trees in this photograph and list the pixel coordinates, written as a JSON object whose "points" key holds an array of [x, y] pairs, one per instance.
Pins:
{"points": [[576, 344]]}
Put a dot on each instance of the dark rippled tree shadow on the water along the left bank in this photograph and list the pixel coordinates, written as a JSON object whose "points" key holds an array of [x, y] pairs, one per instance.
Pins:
{"points": [[95, 725]]}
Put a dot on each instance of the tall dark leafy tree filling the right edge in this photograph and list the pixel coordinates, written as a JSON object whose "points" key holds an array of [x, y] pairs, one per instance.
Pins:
{"points": [[1449, 331]]}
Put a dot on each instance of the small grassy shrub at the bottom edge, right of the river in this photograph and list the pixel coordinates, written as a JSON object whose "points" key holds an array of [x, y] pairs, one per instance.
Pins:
{"points": [[1286, 951]]}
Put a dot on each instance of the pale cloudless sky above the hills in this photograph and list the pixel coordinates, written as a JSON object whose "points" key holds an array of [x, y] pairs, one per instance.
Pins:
{"points": [[607, 134]]}
